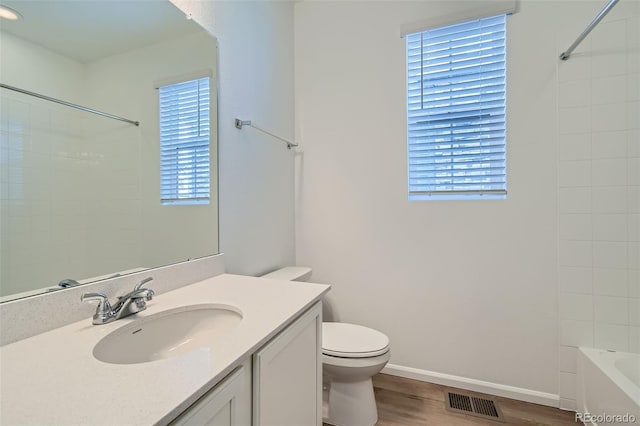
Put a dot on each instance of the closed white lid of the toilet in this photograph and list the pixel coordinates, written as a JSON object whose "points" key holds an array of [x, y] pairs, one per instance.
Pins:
{"points": [[352, 341]]}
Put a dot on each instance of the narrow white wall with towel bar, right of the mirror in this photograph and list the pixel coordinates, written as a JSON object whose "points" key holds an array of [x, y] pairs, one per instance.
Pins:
{"points": [[256, 172]]}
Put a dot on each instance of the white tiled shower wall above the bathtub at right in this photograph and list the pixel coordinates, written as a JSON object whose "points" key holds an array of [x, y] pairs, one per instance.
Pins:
{"points": [[599, 192]]}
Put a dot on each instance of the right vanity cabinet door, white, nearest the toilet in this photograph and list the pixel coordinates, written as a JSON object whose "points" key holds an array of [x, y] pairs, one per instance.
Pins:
{"points": [[287, 375]]}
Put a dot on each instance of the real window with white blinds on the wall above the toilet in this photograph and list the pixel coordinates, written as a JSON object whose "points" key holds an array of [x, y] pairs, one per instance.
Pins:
{"points": [[456, 110]]}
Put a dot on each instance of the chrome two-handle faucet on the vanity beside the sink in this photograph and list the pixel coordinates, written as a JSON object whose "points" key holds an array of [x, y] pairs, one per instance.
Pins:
{"points": [[131, 303]]}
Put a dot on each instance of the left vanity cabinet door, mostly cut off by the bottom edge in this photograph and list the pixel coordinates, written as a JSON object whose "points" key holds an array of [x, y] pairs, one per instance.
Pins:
{"points": [[227, 404]]}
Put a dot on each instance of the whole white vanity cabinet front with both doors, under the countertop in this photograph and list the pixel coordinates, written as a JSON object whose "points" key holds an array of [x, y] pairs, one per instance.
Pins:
{"points": [[280, 385]]}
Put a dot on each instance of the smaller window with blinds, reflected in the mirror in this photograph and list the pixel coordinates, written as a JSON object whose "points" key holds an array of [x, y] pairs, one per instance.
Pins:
{"points": [[184, 142]]}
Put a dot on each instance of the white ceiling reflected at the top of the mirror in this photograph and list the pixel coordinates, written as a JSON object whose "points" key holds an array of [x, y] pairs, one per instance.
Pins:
{"points": [[86, 30]]}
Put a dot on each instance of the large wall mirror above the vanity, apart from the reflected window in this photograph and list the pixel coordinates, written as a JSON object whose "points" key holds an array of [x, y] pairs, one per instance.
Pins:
{"points": [[80, 192]]}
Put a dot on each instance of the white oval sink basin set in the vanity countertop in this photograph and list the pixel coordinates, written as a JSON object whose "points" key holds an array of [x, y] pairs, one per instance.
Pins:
{"points": [[169, 333]]}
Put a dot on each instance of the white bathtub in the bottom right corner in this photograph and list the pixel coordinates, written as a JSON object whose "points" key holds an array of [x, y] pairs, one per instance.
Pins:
{"points": [[608, 387]]}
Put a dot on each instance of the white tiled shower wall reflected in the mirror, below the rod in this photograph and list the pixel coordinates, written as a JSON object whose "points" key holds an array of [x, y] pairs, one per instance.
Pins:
{"points": [[50, 217]]}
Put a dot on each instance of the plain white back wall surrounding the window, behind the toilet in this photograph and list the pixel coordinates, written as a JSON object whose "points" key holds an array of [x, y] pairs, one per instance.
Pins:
{"points": [[466, 288]]}
